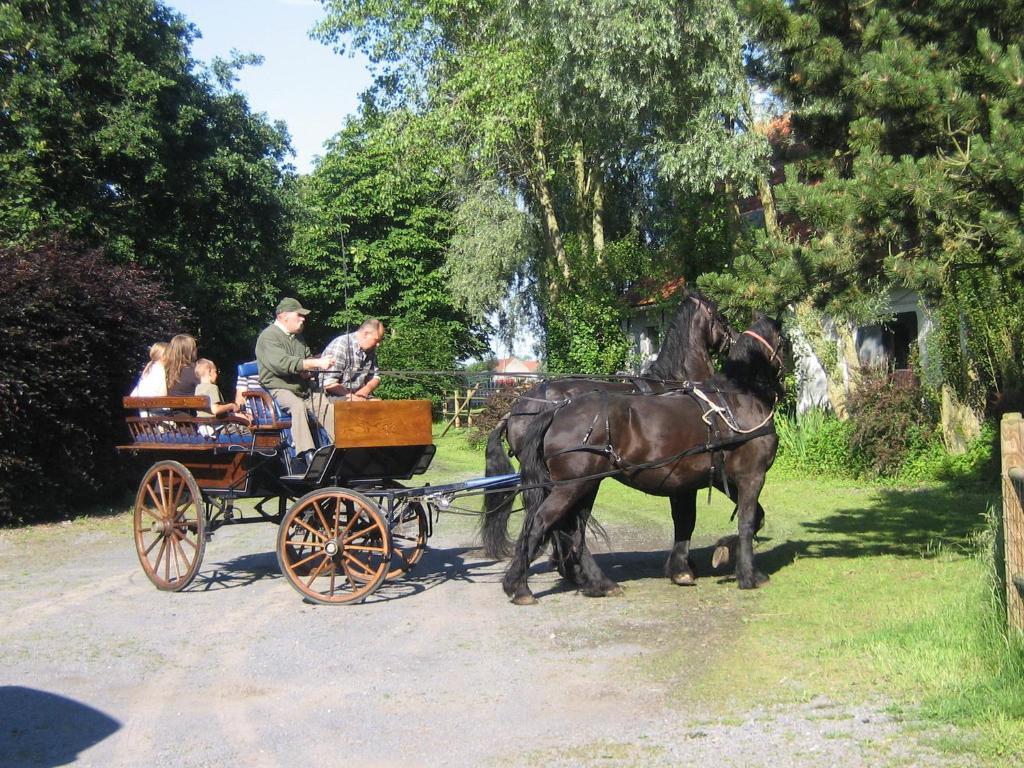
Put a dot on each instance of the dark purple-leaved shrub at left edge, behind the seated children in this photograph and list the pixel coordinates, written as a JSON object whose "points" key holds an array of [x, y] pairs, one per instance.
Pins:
{"points": [[77, 331]]}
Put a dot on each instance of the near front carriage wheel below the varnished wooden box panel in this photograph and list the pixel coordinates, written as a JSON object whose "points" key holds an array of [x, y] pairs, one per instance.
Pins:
{"points": [[334, 546]]}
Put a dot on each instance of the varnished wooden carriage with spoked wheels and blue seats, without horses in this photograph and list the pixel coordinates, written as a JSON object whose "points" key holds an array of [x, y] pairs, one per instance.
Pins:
{"points": [[347, 524]]}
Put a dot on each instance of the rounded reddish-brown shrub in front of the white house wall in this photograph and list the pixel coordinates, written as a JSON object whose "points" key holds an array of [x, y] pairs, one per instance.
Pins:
{"points": [[892, 421]]}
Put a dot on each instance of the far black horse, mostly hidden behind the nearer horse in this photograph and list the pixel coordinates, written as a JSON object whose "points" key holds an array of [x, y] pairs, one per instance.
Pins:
{"points": [[697, 329]]}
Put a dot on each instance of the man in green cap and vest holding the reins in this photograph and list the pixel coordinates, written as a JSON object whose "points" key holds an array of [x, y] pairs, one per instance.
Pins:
{"points": [[285, 365]]}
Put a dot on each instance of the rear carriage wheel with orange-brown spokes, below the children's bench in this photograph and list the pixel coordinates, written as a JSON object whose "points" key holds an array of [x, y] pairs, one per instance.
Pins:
{"points": [[170, 526]]}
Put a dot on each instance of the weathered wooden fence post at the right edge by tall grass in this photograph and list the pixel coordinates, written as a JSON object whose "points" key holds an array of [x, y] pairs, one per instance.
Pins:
{"points": [[1012, 449]]}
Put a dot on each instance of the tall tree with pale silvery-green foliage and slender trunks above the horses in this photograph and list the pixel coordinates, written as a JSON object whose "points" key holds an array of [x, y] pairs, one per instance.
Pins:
{"points": [[578, 112]]}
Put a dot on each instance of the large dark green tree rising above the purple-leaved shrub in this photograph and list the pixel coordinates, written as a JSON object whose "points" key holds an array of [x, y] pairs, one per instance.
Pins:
{"points": [[109, 134]]}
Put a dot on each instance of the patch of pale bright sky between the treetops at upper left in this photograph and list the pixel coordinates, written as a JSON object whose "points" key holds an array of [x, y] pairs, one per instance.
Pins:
{"points": [[302, 81]]}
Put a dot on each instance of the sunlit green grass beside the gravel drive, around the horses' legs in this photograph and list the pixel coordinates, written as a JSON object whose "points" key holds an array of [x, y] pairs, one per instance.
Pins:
{"points": [[877, 592]]}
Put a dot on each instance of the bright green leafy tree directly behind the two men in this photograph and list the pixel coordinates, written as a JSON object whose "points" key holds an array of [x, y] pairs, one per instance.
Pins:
{"points": [[371, 242]]}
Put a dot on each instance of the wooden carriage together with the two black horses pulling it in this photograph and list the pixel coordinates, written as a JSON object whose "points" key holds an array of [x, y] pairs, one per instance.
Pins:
{"points": [[348, 524]]}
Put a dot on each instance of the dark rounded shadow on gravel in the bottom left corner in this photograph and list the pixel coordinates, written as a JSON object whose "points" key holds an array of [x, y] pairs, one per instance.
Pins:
{"points": [[48, 730]]}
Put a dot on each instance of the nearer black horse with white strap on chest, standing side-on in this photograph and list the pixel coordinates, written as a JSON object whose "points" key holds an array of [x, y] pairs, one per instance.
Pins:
{"points": [[720, 434]]}
